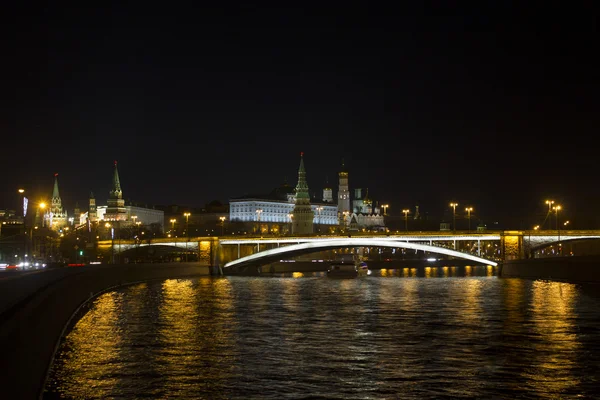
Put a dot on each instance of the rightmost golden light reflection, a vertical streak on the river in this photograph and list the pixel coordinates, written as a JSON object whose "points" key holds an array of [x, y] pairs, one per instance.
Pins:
{"points": [[553, 356]]}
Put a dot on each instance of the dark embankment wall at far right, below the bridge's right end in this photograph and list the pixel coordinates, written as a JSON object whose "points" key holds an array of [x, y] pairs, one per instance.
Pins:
{"points": [[577, 269]]}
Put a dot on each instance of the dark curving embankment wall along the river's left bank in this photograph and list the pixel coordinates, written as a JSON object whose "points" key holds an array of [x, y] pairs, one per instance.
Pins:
{"points": [[35, 308]]}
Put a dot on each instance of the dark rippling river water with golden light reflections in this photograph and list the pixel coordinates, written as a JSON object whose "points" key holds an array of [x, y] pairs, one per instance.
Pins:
{"points": [[441, 333]]}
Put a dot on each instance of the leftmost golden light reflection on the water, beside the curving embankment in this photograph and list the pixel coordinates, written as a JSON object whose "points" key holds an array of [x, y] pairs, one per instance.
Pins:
{"points": [[91, 359]]}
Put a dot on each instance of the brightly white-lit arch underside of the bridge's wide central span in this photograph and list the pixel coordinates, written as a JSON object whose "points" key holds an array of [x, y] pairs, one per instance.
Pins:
{"points": [[314, 246]]}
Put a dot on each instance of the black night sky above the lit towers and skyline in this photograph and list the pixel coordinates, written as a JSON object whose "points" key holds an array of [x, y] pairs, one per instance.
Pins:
{"points": [[492, 106]]}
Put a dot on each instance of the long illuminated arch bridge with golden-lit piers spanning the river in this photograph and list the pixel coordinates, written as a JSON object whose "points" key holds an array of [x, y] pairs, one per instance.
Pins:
{"points": [[489, 248]]}
